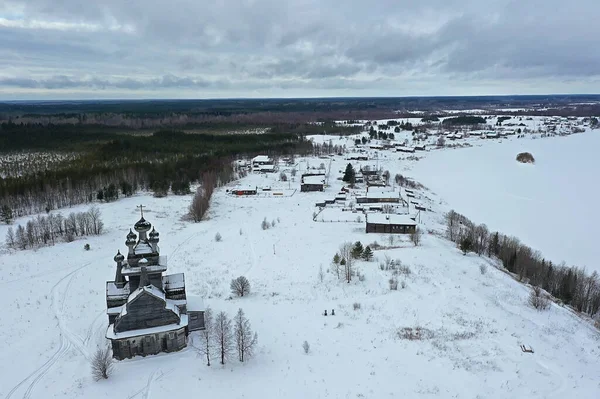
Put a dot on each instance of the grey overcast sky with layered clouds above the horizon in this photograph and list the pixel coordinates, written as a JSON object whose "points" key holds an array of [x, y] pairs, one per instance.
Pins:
{"points": [[57, 49]]}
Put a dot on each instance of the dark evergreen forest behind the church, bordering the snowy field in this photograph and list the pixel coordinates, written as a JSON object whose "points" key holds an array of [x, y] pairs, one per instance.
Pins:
{"points": [[56, 166]]}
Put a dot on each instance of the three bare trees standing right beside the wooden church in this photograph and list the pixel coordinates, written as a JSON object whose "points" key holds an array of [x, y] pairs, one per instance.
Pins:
{"points": [[222, 340]]}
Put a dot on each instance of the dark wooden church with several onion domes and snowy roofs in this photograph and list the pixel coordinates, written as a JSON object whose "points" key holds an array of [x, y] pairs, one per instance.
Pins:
{"points": [[148, 311]]}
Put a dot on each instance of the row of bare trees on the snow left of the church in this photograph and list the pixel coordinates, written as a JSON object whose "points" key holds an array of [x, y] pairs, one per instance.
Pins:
{"points": [[46, 230]]}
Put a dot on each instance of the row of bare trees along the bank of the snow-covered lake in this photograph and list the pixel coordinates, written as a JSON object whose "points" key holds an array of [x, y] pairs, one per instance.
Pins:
{"points": [[571, 285]]}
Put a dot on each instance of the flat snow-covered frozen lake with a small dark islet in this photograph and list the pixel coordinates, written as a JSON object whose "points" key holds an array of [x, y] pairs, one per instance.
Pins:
{"points": [[550, 206]]}
